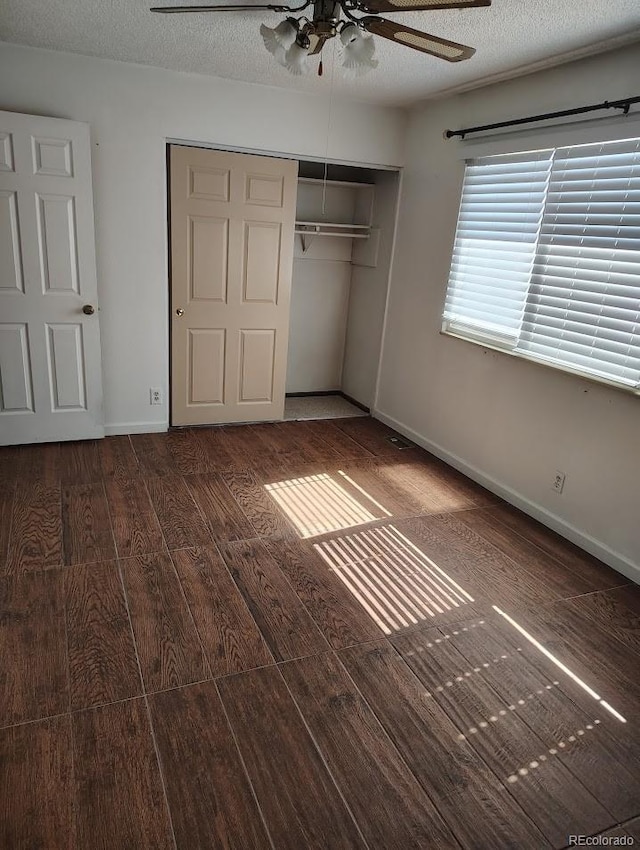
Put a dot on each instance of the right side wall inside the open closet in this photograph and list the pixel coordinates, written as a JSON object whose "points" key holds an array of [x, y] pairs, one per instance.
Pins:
{"points": [[367, 299]]}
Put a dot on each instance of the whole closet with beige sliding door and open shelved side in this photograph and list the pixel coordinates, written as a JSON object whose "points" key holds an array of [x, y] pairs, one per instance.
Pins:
{"points": [[278, 285]]}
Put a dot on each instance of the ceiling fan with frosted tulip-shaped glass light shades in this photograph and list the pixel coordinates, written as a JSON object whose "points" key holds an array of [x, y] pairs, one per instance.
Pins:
{"points": [[296, 38]]}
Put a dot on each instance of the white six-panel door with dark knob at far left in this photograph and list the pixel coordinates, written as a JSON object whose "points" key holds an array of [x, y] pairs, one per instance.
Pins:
{"points": [[50, 365]]}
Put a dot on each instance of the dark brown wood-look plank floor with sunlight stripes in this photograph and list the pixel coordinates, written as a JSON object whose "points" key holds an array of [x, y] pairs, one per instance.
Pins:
{"points": [[298, 636]]}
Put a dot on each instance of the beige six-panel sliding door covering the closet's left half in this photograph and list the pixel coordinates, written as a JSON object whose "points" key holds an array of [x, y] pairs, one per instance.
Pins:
{"points": [[232, 223]]}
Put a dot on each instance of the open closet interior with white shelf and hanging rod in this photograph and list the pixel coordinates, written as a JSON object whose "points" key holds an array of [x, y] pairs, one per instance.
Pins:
{"points": [[342, 253]]}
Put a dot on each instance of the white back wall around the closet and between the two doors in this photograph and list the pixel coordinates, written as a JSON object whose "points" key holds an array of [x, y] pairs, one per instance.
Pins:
{"points": [[132, 111]]}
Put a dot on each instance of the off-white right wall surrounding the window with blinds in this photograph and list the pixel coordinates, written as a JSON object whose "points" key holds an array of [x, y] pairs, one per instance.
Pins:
{"points": [[510, 422]]}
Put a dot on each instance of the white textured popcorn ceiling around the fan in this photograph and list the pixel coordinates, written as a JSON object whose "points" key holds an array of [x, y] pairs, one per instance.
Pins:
{"points": [[509, 36]]}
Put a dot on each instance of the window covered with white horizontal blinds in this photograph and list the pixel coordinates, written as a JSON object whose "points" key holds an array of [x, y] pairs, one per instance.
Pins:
{"points": [[546, 261]]}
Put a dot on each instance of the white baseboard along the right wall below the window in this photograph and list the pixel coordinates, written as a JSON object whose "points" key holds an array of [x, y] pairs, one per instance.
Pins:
{"points": [[615, 560]]}
